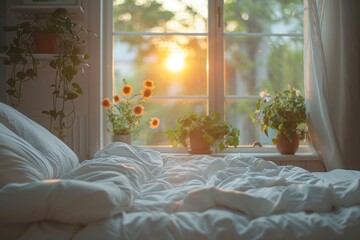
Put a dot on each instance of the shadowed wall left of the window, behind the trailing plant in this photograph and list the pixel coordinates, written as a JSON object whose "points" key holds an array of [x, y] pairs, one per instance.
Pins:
{"points": [[83, 136]]}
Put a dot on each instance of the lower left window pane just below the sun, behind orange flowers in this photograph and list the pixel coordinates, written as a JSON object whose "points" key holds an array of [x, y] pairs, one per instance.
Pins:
{"points": [[168, 111]]}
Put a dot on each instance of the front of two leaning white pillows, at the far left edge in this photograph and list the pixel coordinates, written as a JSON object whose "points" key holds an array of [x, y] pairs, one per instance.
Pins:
{"points": [[19, 161]]}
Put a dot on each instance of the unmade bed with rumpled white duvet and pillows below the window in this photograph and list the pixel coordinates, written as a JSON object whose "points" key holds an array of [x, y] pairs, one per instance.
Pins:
{"points": [[133, 192]]}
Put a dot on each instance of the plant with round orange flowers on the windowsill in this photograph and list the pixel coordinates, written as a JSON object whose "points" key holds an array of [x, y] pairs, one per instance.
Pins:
{"points": [[126, 111]]}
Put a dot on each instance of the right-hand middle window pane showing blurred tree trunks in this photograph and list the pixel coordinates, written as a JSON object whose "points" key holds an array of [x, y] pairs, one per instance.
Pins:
{"points": [[256, 63]]}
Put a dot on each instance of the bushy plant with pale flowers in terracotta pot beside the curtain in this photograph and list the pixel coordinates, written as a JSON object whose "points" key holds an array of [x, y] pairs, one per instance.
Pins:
{"points": [[286, 114]]}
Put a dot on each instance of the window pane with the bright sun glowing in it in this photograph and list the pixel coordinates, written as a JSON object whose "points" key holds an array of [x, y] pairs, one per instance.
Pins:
{"points": [[177, 64]]}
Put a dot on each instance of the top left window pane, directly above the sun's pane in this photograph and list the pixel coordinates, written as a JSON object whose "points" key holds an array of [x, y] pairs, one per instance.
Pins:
{"points": [[160, 16]]}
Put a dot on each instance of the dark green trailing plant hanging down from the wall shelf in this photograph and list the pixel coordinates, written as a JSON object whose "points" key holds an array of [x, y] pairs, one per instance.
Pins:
{"points": [[67, 62]]}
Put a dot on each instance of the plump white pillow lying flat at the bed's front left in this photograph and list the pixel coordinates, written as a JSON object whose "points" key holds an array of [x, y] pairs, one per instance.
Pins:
{"points": [[67, 201]]}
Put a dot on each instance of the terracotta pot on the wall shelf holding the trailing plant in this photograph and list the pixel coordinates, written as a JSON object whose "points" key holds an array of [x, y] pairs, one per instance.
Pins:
{"points": [[45, 42]]}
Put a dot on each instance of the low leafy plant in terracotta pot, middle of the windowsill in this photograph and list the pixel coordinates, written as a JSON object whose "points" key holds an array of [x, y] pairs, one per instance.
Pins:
{"points": [[206, 130]]}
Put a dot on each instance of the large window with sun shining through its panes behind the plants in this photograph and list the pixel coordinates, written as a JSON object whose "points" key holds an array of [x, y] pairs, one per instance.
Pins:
{"points": [[207, 56]]}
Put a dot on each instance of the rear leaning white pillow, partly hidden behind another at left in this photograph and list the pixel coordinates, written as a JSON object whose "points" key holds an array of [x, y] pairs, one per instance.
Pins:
{"points": [[58, 154]]}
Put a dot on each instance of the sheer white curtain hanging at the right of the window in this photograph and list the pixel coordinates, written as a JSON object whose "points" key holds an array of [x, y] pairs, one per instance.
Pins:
{"points": [[332, 80]]}
